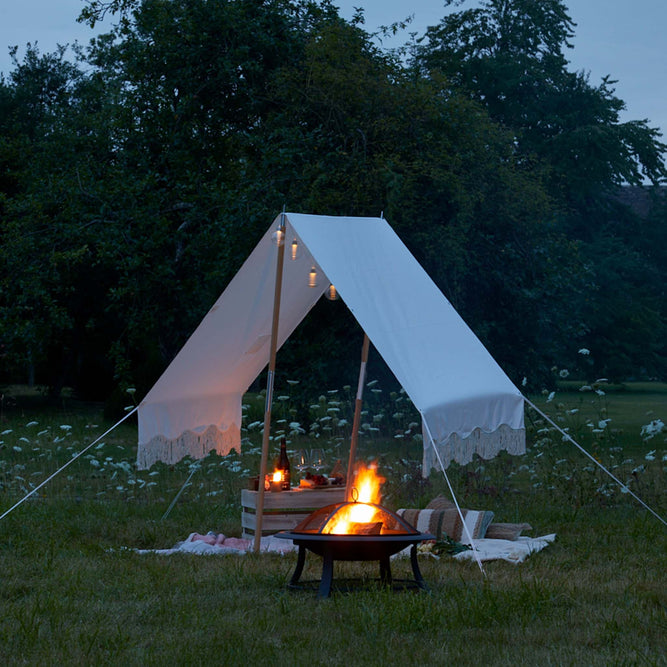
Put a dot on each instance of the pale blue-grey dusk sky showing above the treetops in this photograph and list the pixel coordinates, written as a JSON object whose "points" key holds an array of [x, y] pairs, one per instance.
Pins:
{"points": [[622, 38]]}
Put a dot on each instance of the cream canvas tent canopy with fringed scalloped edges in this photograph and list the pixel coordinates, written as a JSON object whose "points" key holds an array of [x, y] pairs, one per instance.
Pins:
{"points": [[468, 404]]}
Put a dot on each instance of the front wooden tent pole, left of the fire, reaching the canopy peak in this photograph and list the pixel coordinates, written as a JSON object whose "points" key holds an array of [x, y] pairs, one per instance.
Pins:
{"points": [[269, 383]]}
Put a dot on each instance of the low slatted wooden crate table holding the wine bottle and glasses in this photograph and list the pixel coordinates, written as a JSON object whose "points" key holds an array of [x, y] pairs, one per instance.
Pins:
{"points": [[286, 509]]}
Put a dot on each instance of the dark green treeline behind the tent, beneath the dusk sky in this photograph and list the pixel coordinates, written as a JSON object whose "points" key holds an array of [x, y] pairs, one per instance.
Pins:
{"points": [[135, 180]]}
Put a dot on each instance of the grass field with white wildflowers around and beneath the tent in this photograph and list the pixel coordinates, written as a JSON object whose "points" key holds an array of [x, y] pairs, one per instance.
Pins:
{"points": [[74, 591]]}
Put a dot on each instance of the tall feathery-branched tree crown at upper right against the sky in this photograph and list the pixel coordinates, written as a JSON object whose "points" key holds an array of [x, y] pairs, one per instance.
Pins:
{"points": [[510, 56]]}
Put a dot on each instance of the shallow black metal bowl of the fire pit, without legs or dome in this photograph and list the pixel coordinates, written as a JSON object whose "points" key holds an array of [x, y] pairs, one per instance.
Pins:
{"points": [[354, 547]]}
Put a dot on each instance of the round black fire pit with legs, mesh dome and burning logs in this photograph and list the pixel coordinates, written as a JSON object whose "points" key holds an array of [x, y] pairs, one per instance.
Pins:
{"points": [[354, 531]]}
